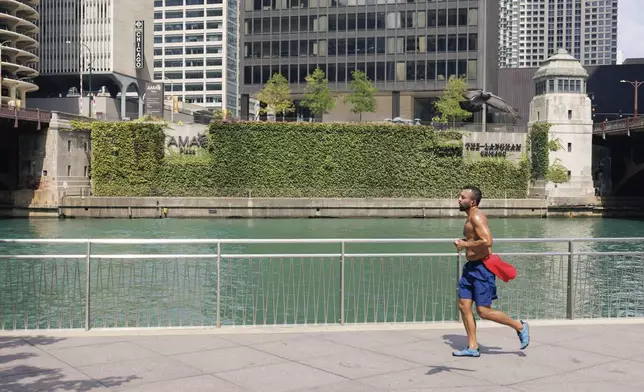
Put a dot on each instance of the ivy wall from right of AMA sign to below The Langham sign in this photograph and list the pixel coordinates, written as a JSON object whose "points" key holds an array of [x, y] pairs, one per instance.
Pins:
{"points": [[349, 160]]}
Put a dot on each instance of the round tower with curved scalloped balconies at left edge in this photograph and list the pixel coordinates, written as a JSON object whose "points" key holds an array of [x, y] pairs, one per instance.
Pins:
{"points": [[18, 49]]}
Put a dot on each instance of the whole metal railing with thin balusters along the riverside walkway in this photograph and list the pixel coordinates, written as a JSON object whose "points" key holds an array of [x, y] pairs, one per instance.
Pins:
{"points": [[163, 283]]}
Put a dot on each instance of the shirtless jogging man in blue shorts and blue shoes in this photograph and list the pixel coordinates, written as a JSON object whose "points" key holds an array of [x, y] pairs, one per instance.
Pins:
{"points": [[478, 284]]}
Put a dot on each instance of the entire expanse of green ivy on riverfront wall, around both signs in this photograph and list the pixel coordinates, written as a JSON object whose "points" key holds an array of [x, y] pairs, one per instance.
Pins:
{"points": [[262, 159]]}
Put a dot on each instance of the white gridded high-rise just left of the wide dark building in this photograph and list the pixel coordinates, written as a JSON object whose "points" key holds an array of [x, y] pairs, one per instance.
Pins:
{"points": [[196, 51]]}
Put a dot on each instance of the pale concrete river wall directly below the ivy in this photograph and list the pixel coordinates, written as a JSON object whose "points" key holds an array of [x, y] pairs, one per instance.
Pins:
{"points": [[179, 207]]}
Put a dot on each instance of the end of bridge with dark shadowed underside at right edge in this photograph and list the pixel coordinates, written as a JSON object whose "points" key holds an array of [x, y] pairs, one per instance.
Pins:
{"points": [[623, 141]]}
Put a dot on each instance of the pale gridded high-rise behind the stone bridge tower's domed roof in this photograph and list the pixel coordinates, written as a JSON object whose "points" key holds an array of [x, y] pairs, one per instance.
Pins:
{"points": [[532, 30]]}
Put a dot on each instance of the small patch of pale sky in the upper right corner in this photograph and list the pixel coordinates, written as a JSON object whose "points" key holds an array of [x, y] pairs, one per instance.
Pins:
{"points": [[630, 28]]}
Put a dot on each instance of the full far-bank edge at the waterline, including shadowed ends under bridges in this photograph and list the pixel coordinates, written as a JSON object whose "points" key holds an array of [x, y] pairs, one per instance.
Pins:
{"points": [[197, 207]]}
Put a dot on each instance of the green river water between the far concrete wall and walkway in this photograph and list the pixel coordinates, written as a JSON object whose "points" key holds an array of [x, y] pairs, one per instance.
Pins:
{"points": [[277, 290]]}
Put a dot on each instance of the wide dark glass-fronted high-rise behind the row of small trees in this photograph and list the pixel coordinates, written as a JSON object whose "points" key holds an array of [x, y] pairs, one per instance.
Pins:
{"points": [[409, 49]]}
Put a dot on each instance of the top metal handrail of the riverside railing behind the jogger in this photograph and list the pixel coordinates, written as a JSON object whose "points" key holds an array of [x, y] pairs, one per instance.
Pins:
{"points": [[167, 241]]}
